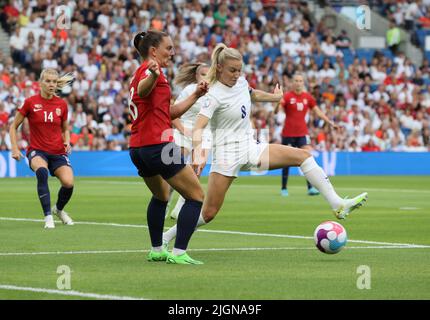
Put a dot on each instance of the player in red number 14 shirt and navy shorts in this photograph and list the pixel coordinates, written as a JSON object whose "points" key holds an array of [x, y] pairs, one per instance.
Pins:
{"points": [[49, 143]]}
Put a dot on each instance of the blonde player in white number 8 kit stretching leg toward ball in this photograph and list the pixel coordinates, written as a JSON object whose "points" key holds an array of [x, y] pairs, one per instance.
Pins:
{"points": [[228, 106]]}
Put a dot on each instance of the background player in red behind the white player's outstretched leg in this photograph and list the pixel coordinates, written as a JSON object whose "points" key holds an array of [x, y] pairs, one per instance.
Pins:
{"points": [[296, 104]]}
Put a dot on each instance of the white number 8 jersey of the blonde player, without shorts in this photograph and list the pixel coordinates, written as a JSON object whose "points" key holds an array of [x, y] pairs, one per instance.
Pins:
{"points": [[228, 109]]}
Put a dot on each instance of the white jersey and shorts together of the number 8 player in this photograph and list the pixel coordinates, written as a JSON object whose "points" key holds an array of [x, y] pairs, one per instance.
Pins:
{"points": [[234, 148]]}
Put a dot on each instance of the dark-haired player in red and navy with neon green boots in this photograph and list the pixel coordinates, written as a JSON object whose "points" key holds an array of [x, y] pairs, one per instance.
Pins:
{"points": [[158, 159]]}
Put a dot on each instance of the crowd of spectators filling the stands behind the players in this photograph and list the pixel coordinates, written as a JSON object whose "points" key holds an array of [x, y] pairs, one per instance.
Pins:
{"points": [[382, 103]]}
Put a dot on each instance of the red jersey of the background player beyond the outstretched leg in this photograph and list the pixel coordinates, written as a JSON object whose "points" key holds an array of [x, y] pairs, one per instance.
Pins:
{"points": [[296, 107]]}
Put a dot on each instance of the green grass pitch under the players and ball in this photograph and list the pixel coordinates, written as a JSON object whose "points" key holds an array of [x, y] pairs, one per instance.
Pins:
{"points": [[250, 250]]}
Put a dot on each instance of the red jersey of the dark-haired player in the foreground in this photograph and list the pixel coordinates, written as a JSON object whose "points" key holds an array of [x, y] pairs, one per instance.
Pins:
{"points": [[151, 115]]}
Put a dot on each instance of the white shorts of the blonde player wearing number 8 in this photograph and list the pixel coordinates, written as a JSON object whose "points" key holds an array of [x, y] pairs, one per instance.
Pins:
{"points": [[229, 160]]}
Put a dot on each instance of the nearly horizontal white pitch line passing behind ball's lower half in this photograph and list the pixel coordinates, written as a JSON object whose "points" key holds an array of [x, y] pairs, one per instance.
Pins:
{"points": [[199, 250]]}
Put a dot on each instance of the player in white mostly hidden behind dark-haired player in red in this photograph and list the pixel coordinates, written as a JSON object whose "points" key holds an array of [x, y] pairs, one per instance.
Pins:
{"points": [[189, 75]]}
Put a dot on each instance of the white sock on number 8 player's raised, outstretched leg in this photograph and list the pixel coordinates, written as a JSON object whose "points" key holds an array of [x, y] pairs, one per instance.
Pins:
{"points": [[317, 177]]}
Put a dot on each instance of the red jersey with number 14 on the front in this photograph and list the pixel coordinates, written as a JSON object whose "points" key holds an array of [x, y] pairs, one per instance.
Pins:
{"points": [[45, 117]]}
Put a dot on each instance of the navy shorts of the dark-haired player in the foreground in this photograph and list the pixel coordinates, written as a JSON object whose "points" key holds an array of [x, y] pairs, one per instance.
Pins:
{"points": [[164, 159]]}
